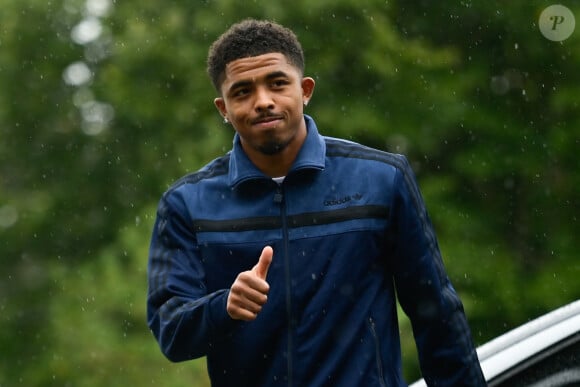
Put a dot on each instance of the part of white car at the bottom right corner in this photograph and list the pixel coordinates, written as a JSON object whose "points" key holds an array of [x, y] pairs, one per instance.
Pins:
{"points": [[544, 352]]}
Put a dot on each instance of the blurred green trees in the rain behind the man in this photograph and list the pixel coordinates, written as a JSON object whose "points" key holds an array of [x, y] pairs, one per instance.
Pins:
{"points": [[104, 103]]}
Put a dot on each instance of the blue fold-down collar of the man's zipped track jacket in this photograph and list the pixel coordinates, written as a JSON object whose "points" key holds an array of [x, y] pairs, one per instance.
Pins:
{"points": [[311, 156]]}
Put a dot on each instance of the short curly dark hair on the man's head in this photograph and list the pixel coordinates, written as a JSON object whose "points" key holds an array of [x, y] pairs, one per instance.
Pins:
{"points": [[249, 38]]}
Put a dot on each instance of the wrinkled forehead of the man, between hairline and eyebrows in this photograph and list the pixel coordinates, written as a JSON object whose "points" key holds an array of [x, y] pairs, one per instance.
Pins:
{"points": [[257, 66]]}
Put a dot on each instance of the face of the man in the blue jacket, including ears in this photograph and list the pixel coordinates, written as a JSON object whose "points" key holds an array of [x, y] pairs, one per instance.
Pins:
{"points": [[263, 98]]}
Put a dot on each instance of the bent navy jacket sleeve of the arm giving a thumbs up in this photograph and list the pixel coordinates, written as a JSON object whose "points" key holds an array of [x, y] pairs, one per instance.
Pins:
{"points": [[183, 317]]}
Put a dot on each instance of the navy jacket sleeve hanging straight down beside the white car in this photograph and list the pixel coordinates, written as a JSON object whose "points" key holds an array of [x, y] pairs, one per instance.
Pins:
{"points": [[446, 353]]}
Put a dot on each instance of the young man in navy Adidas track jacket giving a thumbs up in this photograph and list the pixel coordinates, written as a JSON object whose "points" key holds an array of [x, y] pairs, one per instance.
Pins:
{"points": [[280, 260]]}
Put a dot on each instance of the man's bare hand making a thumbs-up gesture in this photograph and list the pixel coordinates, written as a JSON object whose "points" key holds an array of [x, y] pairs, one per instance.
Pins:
{"points": [[249, 292]]}
